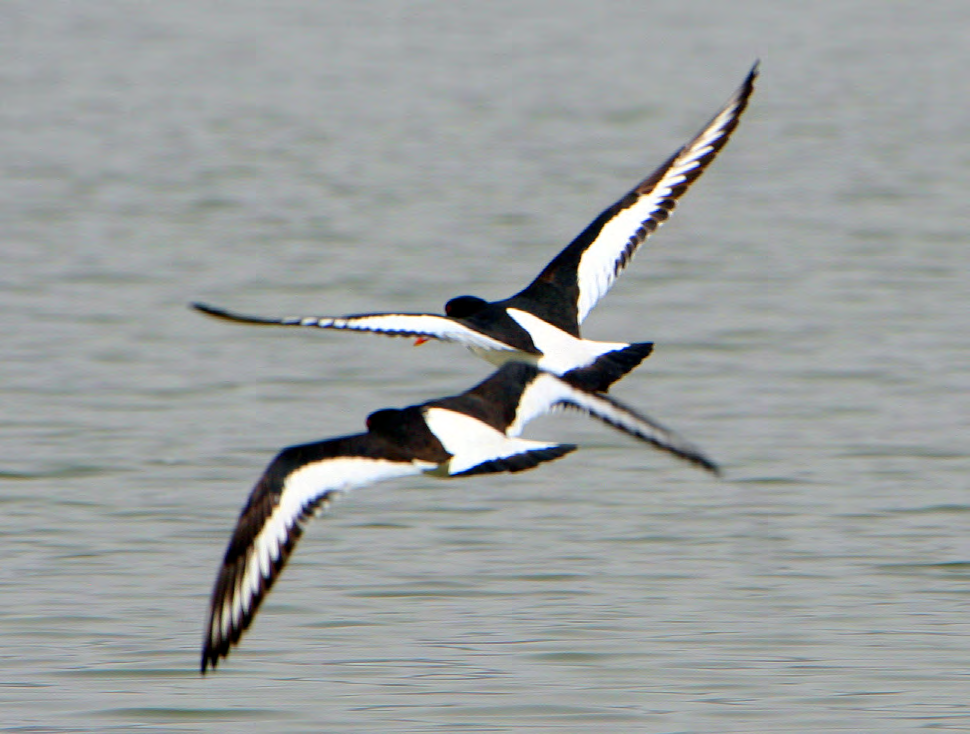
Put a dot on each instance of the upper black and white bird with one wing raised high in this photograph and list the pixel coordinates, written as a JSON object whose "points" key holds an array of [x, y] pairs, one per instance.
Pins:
{"points": [[540, 324]]}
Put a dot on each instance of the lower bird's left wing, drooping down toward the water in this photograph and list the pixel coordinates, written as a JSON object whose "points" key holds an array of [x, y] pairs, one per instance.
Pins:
{"points": [[300, 482]]}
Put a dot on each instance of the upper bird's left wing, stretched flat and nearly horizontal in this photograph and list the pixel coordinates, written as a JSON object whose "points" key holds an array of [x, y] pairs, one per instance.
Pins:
{"points": [[428, 326]]}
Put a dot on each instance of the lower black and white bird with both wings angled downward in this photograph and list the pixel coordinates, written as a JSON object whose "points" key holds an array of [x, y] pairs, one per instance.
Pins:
{"points": [[476, 432]]}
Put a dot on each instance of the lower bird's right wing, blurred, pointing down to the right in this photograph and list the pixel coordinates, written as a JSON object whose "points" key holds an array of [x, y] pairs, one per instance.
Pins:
{"points": [[546, 392]]}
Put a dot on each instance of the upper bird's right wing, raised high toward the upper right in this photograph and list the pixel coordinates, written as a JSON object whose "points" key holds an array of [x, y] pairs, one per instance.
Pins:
{"points": [[586, 269]]}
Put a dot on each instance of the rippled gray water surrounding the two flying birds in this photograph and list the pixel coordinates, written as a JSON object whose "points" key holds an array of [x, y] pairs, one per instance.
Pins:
{"points": [[808, 302]]}
